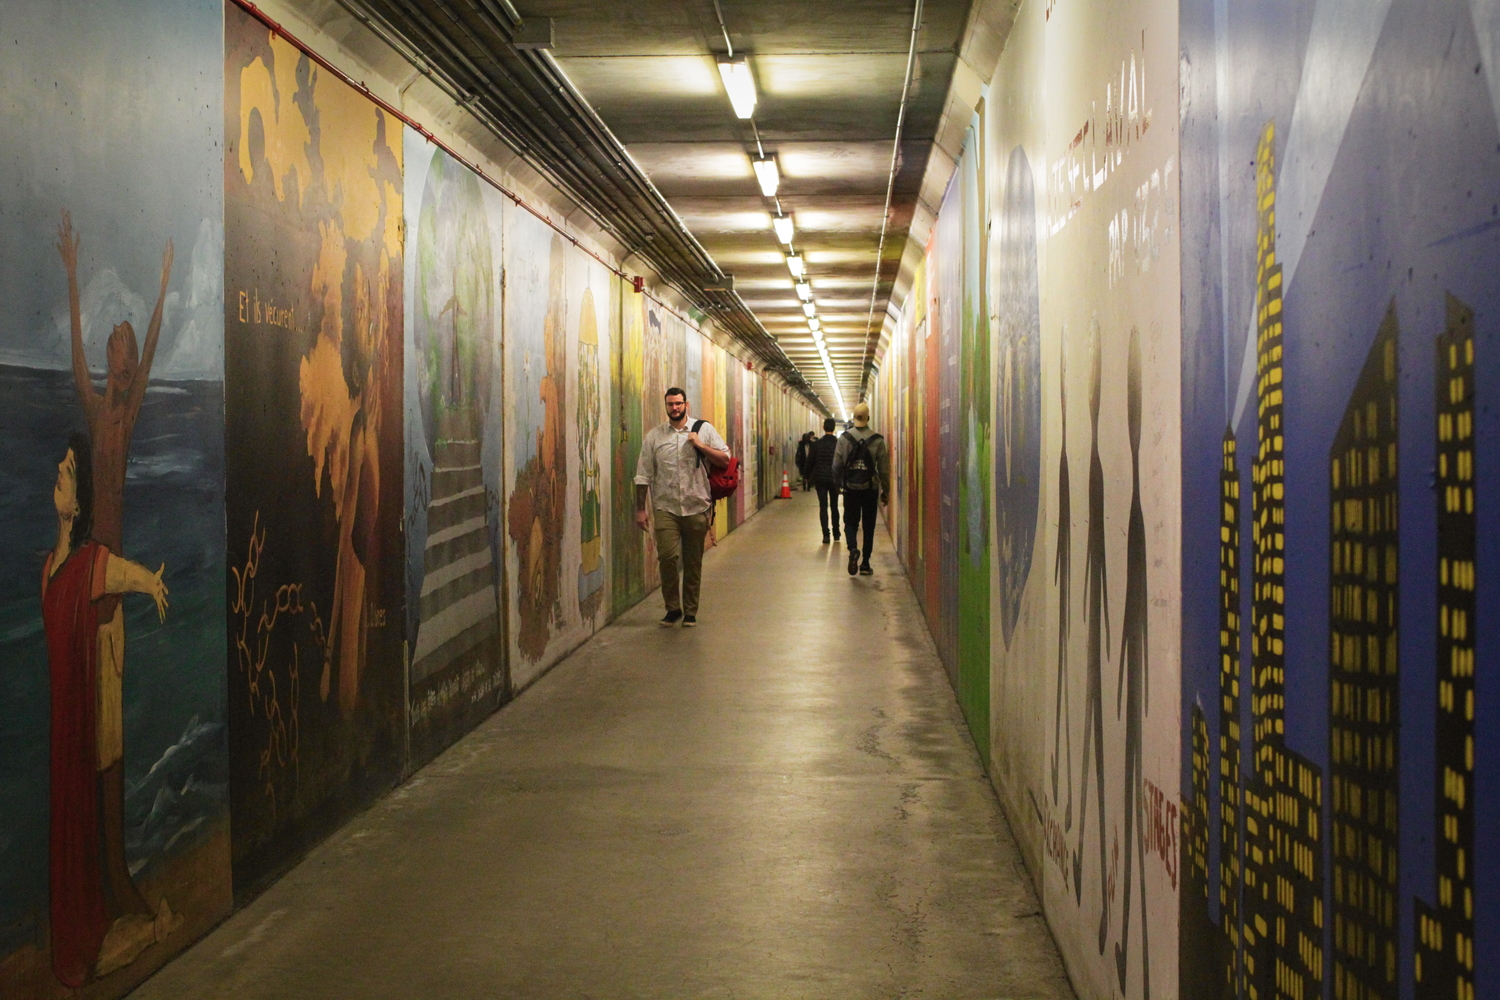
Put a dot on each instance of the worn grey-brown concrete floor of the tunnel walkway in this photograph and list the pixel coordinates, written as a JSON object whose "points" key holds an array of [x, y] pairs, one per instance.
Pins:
{"points": [[779, 804]]}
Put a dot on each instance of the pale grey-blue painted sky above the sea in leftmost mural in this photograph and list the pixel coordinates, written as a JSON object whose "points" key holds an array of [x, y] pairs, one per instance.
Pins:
{"points": [[131, 148]]}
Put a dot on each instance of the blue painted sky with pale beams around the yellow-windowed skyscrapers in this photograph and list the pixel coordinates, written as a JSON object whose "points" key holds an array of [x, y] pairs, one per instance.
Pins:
{"points": [[1388, 193]]}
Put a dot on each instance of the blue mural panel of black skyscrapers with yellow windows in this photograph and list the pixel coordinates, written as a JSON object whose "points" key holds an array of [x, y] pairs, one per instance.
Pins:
{"points": [[1339, 433]]}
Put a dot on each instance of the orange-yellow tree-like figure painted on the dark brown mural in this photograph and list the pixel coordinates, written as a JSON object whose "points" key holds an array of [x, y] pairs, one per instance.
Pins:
{"points": [[326, 151]]}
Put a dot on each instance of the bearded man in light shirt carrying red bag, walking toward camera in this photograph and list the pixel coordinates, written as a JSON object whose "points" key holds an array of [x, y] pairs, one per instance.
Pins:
{"points": [[674, 467]]}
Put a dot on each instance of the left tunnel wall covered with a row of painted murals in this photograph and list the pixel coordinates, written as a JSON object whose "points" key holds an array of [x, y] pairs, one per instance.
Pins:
{"points": [[208, 428]]}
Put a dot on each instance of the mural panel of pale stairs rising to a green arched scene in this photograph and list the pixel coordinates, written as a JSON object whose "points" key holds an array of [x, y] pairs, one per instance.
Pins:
{"points": [[454, 427]]}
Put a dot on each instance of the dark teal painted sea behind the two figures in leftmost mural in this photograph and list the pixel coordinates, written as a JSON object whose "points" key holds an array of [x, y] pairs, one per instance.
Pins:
{"points": [[176, 759]]}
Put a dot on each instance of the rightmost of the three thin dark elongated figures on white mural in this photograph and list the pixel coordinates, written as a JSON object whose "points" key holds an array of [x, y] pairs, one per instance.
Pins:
{"points": [[1133, 687]]}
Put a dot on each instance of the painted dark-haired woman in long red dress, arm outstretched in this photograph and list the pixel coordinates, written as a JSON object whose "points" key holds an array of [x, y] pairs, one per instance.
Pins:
{"points": [[92, 935]]}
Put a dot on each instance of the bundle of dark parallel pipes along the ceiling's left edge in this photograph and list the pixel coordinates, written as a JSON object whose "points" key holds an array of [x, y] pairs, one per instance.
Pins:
{"points": [[529, 103]]}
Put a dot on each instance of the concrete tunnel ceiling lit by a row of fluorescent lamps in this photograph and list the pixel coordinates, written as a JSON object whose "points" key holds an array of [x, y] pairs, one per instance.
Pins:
{"points": [[829, 77]]}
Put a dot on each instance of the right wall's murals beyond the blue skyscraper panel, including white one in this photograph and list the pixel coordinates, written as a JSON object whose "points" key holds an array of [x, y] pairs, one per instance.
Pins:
{"points": [[1060, 220]]}
